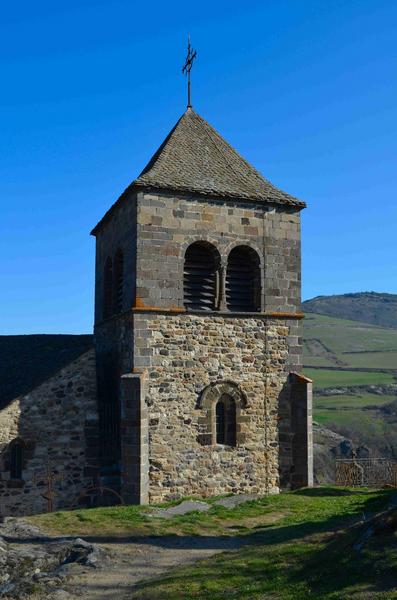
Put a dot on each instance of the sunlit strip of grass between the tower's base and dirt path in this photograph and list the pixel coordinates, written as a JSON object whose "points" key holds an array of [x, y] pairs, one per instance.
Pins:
{"points": [[135, 520]]}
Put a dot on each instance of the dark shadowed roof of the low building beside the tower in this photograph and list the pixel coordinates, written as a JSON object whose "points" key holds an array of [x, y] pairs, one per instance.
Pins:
{"points": [[28, 360]]}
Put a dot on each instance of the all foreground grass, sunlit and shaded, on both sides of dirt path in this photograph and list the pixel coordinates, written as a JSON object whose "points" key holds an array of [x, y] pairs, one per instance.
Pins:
{"points": [[291, 546]]}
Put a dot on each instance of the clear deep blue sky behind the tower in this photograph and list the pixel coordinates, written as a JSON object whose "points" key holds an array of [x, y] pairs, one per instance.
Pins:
{"points": [[305, 90]]}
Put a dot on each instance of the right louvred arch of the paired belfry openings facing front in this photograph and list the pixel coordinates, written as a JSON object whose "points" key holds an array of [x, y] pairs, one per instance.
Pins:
{"points": [[243, 280]]}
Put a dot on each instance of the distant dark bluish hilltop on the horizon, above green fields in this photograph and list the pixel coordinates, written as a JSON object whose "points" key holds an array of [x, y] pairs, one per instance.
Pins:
{"points": [[367, 307]]}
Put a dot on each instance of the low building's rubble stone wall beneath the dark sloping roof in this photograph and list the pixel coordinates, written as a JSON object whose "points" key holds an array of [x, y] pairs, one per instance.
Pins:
{"points": [[57, 423]]}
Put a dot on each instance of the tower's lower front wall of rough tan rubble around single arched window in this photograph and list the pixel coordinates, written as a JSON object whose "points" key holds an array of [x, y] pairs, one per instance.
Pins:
{"points": [[183, 354]]}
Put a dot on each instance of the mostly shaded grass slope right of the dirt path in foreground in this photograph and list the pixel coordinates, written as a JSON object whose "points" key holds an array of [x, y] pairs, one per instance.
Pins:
{"points": [[300, 557]]}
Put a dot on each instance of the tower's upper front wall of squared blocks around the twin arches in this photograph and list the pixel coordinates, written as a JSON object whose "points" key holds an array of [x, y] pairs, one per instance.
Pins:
{"points": [[167, 224]]}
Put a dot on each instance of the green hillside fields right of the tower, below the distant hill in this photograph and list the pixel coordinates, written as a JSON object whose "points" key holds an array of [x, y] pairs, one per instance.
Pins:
{"points": [[358, 355]]}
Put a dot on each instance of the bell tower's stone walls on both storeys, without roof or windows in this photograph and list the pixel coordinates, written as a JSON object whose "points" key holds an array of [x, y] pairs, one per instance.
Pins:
{"points": [[156, 337]]}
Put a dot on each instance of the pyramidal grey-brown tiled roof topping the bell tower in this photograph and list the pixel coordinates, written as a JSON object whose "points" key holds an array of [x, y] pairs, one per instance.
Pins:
{"points": [[195, 158]]}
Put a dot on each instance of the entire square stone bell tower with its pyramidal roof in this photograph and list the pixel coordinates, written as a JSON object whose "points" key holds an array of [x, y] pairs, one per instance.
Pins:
{"points": [[198, 327]]}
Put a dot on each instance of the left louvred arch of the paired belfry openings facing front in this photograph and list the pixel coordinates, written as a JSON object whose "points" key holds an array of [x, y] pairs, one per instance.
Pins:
{"points": [[201, 277]]}
